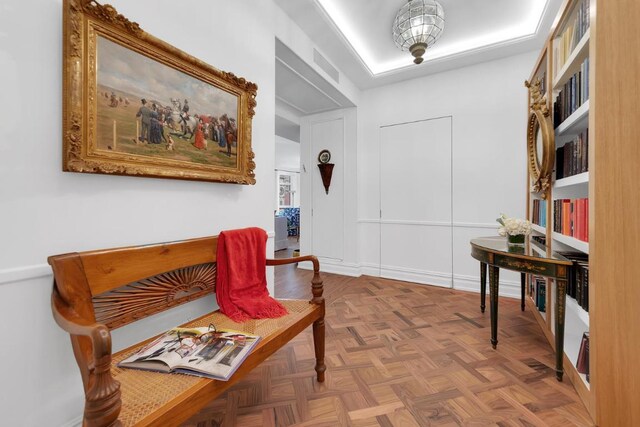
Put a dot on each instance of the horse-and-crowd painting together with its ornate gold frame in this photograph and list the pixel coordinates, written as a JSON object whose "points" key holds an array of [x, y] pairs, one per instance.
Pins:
{"points": [[135, 105]]}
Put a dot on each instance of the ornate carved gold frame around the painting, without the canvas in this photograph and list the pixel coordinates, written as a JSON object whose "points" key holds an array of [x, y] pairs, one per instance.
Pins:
{"points": [[83, 20]]}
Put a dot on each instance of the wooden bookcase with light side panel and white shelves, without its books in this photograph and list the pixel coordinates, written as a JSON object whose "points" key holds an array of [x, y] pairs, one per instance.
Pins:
{"points": [[612, 185]]}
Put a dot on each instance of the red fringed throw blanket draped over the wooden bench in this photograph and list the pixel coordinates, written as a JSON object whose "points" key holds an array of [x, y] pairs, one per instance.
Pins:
{"points": [[241, 287]]}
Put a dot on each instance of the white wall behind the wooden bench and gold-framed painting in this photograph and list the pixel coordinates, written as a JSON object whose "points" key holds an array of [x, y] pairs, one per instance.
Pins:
{"points": [[44, 211]]}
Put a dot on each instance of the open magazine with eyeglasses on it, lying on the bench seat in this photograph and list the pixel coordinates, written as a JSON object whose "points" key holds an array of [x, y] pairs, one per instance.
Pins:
{"points": [[204, 352]]}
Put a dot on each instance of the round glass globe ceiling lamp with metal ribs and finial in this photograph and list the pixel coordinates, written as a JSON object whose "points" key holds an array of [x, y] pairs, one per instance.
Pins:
{"points": [[418, 25]]}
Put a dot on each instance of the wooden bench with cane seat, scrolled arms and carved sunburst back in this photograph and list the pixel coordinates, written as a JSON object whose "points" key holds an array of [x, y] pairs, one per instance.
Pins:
{"points": [[98, 291]]}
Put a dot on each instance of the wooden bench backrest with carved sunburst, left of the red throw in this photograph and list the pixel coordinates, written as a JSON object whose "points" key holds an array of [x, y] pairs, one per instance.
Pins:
{"points": [[118, 286]]}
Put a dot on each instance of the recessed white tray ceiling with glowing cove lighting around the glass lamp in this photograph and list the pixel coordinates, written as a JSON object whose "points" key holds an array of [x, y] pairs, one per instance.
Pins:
{"points": [[355, 35]]}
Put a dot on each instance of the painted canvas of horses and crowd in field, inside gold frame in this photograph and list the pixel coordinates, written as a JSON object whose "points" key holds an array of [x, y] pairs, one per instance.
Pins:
{"points": [[147, 108]]}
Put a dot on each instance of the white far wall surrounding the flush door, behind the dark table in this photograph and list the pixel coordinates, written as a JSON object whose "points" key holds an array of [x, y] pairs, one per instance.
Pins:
{"points": [[487, 102]]}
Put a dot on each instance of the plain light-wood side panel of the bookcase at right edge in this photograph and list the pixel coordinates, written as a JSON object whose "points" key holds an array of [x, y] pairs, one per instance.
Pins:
{"points": [[614, 243]]}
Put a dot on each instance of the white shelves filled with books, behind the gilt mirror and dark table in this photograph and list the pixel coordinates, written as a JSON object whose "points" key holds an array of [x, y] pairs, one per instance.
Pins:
{"points": [[565, 65]]}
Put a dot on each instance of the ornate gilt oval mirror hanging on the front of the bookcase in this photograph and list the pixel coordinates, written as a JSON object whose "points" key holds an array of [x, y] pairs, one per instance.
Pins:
{"points": [[540, 169]]}
